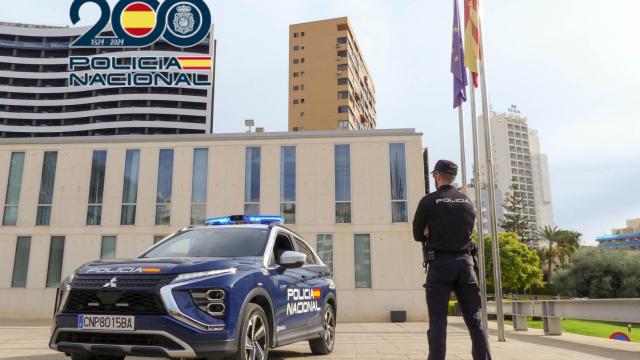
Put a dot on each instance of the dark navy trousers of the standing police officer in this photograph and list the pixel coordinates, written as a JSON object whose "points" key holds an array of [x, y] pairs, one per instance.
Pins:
{"points": [[454, 272]]}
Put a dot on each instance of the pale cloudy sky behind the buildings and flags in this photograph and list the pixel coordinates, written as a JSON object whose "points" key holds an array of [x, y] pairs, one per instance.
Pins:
{"points": [[571, 66]]}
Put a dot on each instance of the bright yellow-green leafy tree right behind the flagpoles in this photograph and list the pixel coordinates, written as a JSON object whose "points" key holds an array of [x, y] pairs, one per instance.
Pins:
{"points": [[520, 265]]}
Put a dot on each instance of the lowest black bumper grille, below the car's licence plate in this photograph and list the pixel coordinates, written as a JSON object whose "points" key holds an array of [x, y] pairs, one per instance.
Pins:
{"points": [[118, 339]]}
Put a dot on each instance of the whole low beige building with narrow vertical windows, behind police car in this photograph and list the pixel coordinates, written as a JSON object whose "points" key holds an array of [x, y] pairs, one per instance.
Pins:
{"points": [[351, 194]]}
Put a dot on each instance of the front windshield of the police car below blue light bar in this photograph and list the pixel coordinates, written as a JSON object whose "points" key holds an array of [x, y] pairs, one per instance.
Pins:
{"points": [[213, 242]]}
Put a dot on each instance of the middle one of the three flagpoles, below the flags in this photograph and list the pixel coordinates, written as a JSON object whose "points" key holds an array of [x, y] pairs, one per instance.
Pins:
{"points": [[477, 185]]}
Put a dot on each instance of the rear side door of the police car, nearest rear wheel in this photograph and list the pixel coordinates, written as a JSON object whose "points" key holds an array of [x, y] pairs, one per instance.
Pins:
{"points": [[317, 282]]}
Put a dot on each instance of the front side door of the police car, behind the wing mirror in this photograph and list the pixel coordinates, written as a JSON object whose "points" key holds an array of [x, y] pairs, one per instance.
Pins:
{"points": [[284, 283]]}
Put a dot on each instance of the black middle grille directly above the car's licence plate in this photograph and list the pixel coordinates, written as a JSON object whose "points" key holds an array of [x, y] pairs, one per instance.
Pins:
{"points": [[113, 302]]}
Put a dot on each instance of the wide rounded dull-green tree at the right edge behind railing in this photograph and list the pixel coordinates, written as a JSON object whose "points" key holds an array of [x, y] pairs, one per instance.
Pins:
{"points": [[598, 273]]}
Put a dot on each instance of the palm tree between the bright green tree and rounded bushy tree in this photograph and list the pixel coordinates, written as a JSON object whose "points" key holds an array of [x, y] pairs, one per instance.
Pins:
{"points": [[560, 246]]}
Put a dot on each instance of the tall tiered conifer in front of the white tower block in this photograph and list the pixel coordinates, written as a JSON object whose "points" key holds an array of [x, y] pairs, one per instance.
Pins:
{"points": [[516, 219]]}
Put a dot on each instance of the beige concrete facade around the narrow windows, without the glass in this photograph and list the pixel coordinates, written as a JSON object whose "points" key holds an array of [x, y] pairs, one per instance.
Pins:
{"points": [[397, 275]]}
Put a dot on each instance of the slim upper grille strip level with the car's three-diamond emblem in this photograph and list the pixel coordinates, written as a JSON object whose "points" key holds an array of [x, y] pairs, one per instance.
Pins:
{"points": [[122, 281]]}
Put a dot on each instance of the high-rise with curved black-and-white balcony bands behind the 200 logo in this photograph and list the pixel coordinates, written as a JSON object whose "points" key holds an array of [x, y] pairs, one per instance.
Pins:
{"points": [[36, 99]]}
